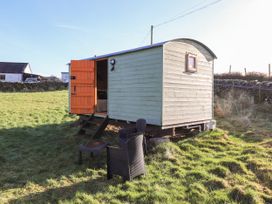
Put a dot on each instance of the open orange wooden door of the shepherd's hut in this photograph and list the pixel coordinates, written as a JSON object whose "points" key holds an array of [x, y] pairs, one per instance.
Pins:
{"points": [[82, 87]]}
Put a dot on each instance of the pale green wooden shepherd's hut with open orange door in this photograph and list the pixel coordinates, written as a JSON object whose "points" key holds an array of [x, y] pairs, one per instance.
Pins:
{"points": [[170, 84]]}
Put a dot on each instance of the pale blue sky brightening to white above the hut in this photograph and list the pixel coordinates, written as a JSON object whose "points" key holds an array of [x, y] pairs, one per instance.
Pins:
{"points": [[48, 34]]}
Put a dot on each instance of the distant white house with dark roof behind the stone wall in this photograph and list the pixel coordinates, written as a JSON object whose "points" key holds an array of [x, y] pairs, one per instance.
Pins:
{"points": [[14, 71]]}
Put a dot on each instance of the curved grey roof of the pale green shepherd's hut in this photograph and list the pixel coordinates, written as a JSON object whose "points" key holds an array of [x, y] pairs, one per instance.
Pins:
{"points": [[153, 46]]}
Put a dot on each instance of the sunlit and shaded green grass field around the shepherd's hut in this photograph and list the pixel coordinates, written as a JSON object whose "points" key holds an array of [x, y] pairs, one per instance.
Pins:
{"points": [[38, 154]]}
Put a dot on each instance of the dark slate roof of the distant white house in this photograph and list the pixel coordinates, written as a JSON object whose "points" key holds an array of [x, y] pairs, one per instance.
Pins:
{"points": [[12, 67]]}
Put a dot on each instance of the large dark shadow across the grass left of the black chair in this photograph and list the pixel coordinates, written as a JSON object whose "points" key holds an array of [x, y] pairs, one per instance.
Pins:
{"points": [[38, 154]]}
